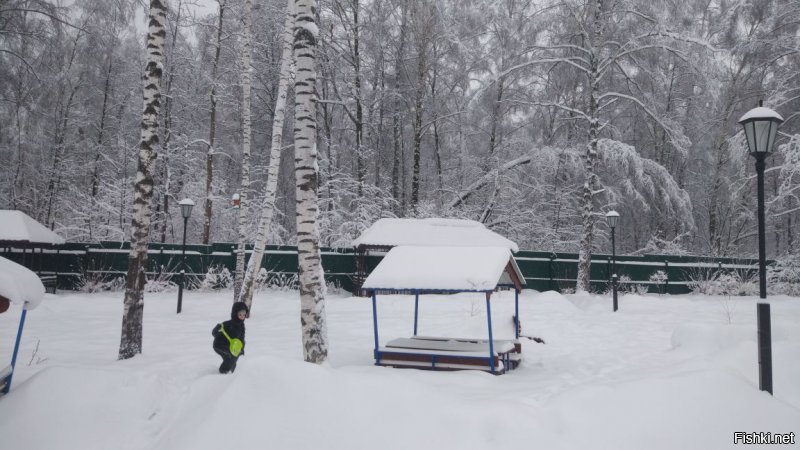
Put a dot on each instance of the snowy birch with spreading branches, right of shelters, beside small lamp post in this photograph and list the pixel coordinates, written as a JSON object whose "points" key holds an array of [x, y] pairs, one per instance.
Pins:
{"points": [[609, 39]]}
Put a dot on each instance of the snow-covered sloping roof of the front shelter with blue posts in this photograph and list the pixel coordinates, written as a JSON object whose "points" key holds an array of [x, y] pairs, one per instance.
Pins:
{"points": [[442, 268]]}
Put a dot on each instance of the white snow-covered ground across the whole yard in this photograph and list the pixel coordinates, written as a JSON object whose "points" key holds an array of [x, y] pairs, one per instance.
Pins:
{"points": [[665, 372]]}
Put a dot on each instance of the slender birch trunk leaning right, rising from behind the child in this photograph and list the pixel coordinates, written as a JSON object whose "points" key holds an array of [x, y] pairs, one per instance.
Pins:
{"points": [[268, 203]]}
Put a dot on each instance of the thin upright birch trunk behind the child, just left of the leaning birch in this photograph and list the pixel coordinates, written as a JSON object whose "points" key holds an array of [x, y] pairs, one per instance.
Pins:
{"points": [[245, 186]]}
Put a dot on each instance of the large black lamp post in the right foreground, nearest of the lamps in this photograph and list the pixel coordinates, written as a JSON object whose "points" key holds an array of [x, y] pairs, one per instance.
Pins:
{"points": [[760, 128]]}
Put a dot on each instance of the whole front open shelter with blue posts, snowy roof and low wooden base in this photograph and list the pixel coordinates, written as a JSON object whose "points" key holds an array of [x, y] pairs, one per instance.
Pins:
{"points": [[447, 270]]}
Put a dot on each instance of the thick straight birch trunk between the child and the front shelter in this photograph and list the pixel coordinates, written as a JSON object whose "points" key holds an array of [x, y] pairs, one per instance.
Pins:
{"points": [[311, 276]]}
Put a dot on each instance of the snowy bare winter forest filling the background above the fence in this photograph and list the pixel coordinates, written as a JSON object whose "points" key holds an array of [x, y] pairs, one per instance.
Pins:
{"points": [[533, 117]]}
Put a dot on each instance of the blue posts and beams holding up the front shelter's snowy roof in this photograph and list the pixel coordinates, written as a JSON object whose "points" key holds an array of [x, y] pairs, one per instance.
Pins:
{"points": [[417, 292]]}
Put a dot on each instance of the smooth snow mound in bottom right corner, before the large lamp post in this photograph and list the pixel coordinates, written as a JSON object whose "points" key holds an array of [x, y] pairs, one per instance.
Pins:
{"points": [[688, 401]]}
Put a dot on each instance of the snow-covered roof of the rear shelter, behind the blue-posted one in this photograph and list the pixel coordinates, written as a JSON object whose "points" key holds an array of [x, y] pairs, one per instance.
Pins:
{"points": [[432, 232]]}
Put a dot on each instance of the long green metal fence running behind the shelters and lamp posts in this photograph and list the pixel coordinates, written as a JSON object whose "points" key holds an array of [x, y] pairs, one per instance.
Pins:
{"points": [[74, 262]]}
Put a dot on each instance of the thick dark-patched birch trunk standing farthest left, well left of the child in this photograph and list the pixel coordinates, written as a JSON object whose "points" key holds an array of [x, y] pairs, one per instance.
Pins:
{"points": [[131, 340]]}
